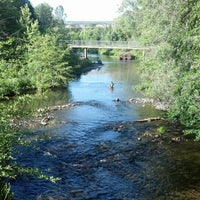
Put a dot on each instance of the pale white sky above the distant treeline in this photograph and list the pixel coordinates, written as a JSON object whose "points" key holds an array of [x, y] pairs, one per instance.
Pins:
{"points": [[86, 10]]}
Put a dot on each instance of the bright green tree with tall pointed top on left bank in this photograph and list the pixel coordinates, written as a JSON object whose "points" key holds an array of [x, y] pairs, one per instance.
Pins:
{"points": [[46, 56]]}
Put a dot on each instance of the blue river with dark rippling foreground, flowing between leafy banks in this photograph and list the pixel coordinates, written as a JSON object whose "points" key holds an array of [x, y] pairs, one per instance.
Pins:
{"points": [[96, 150]]}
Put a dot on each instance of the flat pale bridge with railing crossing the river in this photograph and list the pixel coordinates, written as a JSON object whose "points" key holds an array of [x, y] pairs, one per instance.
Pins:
{"points": [[91, 44]]}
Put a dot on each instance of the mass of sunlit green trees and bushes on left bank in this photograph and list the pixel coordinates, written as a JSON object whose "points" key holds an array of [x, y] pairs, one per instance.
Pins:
{"points": [[34, 59]]}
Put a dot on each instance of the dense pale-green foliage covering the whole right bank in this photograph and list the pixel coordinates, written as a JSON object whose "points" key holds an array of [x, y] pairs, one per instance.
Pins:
{"points": [[171, 73]]}
